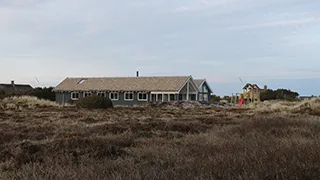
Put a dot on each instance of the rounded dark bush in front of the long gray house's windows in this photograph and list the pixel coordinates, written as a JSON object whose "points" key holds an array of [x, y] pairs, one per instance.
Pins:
{"points": [[94, 102]]}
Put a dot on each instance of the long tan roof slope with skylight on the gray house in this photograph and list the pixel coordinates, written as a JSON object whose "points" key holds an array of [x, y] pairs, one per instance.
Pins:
{"points": [[165, 83]]}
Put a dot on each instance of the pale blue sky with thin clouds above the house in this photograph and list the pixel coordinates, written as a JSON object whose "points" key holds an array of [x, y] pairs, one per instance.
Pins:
{"points": [[274, 42]]}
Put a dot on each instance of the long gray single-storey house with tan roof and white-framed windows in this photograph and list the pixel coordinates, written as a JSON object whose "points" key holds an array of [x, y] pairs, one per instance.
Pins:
{"points": [[129, 91]]}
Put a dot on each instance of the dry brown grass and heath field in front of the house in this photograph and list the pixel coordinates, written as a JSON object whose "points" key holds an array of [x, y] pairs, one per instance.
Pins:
{"points": [[267, 142]]}
